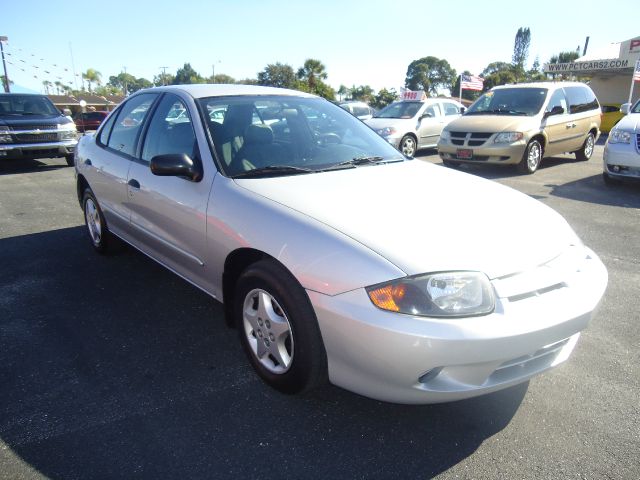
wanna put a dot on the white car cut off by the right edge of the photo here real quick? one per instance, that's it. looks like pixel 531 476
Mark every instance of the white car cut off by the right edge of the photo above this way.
pixel 621 152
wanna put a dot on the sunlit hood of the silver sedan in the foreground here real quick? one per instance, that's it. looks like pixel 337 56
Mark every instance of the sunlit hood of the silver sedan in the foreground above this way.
pixel 425 218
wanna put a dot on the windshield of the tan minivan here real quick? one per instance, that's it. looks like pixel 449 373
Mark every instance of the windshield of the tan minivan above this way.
pixel 509 101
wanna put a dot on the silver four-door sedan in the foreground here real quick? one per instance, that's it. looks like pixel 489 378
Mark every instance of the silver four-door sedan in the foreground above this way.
pixel 318 238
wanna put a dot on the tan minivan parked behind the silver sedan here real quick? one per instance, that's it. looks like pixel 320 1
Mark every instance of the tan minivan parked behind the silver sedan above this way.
pixel 523 123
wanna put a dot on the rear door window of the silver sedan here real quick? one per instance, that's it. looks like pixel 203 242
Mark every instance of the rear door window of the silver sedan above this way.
pixel 126 128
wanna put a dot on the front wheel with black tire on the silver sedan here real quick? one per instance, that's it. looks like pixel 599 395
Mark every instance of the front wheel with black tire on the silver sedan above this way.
pixel 293 358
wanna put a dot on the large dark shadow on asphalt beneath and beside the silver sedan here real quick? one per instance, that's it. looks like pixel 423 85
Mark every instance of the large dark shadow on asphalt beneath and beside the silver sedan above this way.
pixel 113 367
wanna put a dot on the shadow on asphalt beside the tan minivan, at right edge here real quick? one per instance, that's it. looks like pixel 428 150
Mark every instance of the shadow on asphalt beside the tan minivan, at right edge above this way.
pixel 593 190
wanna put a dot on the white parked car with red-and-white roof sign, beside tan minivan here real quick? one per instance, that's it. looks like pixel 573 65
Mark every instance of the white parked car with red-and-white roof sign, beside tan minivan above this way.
pixel 411 125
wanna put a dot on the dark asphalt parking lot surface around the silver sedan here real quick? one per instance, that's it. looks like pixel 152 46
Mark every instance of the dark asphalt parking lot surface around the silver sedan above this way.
pixel 113 367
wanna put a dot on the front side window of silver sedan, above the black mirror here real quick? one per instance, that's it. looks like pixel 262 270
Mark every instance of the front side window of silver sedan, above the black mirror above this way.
pixel 170 130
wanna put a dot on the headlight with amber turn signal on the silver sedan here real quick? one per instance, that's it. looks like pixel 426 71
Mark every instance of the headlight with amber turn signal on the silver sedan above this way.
pixel 446 294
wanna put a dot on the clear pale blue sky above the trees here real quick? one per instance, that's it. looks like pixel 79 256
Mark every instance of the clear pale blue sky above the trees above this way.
pixel 359 42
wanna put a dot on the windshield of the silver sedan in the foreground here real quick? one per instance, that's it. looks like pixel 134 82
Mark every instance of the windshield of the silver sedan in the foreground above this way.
pixel 285 135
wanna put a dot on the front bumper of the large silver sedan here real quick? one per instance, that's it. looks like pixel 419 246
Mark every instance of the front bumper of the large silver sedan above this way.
pixel 407 359
